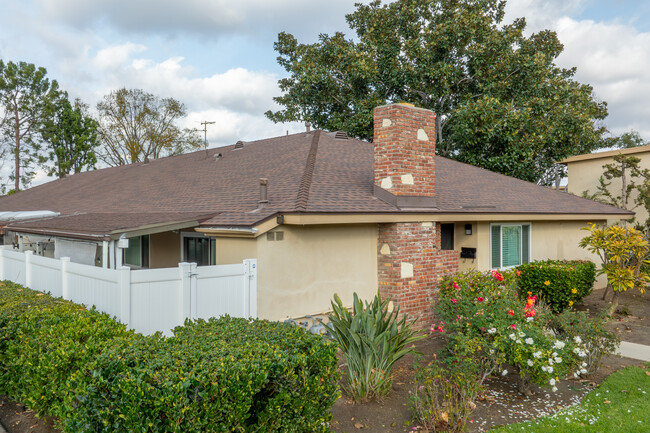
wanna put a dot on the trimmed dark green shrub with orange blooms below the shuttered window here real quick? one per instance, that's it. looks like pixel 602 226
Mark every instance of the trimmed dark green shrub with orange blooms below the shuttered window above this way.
pixel 559 283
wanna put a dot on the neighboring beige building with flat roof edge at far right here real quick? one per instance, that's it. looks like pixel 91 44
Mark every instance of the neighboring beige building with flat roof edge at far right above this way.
pixel 584 172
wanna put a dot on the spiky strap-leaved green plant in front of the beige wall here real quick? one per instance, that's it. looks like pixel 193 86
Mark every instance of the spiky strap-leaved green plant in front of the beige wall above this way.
pixel 372 340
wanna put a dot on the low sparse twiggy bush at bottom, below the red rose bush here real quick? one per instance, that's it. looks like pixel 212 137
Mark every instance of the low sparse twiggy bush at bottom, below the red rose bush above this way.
pixel 443 398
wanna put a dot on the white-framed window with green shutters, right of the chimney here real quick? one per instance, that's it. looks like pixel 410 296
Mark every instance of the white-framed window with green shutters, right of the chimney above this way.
pixel 509 245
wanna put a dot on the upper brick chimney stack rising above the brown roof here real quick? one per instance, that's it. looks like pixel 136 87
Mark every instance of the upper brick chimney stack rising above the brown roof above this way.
pixel 405 148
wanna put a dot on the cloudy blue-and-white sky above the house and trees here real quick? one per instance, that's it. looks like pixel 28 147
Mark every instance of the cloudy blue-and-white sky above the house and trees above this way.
pixel 217 57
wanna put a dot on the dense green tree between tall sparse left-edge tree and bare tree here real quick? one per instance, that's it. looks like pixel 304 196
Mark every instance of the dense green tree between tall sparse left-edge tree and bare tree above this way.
pixel 72 136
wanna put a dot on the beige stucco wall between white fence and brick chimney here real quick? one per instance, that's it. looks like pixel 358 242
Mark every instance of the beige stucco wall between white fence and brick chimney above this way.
pixel 300 274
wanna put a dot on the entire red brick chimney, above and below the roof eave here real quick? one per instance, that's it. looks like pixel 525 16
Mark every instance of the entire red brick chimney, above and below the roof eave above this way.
pixel 409 259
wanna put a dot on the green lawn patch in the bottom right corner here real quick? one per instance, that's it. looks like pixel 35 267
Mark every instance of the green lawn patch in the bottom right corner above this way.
pixel 619 404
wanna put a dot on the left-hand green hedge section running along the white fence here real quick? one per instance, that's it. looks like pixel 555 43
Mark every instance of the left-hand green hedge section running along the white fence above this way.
pixel 45 340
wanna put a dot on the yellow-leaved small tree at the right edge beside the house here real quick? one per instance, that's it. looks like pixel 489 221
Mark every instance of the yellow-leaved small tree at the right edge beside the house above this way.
pixel 623 251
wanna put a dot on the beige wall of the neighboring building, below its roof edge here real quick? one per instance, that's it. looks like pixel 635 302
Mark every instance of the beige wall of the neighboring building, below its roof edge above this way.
pixel 584 175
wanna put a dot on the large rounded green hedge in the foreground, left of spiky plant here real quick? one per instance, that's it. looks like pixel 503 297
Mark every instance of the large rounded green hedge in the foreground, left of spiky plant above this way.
pixel 224 374
